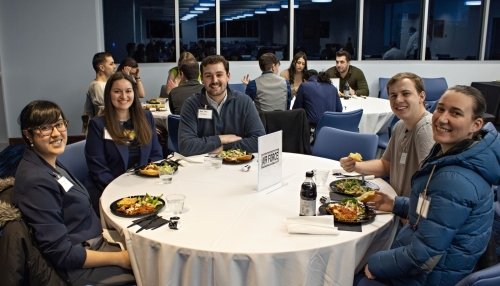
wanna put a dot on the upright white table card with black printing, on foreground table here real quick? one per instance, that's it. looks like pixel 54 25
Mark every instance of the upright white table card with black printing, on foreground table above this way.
pixel 270 161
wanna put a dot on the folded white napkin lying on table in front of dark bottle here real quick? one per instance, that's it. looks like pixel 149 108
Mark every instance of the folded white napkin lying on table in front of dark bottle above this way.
pixel 311 225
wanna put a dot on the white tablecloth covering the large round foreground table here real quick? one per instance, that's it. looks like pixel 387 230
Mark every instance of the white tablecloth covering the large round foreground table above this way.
pixel 231 234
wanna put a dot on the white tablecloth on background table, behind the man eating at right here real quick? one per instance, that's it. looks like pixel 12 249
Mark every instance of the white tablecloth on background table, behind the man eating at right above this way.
pixel 377 113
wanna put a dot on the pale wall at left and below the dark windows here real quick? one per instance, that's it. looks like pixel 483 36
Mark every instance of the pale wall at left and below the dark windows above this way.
pixel 46 48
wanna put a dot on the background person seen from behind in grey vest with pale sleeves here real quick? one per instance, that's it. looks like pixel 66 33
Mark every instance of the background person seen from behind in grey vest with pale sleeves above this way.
pixel 269 91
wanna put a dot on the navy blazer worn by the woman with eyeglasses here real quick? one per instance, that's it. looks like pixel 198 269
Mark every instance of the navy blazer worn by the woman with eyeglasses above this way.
pixel 61 220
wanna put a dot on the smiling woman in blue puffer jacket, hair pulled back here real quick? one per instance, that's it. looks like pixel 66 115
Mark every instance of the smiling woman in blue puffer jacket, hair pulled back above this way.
pixel 450 209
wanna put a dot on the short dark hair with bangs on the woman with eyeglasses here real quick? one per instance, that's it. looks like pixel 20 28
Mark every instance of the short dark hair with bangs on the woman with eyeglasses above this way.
pixel 39 112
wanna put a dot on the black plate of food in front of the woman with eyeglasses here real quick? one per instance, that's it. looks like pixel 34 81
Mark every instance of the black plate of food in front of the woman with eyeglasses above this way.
pixel 139 205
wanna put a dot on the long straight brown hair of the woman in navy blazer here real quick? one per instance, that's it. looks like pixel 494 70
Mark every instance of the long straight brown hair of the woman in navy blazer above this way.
pixel 142 127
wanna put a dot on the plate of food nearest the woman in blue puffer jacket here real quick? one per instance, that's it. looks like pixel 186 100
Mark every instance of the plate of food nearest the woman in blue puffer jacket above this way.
pixel 350 210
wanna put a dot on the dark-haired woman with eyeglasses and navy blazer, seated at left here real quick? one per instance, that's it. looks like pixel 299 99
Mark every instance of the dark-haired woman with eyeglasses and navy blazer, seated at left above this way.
pixel 57 207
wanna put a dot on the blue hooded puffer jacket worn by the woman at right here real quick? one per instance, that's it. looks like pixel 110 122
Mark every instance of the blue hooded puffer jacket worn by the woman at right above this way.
pixel 444 246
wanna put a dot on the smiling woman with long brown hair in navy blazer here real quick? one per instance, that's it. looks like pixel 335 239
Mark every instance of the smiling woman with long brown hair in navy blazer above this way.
pixel 123 137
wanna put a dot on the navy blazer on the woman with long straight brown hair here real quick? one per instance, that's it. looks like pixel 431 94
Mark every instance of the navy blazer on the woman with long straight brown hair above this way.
pixel 107 160
